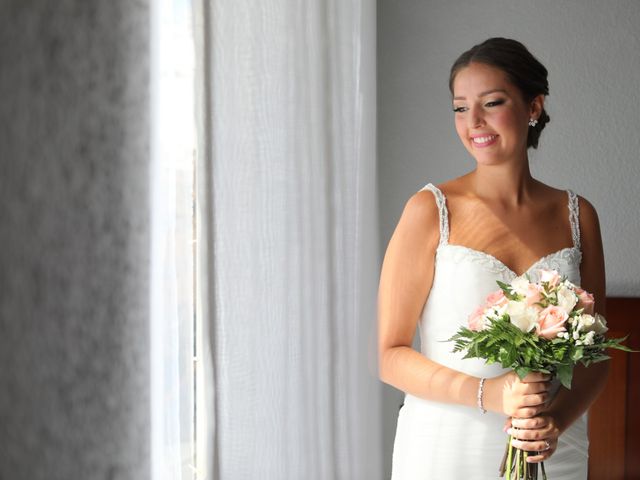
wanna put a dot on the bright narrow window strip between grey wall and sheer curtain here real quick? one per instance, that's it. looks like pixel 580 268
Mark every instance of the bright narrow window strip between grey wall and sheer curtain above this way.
pixel 178 421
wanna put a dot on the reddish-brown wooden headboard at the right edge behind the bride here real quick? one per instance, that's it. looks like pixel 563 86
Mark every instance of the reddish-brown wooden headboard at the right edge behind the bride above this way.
pixel 614 419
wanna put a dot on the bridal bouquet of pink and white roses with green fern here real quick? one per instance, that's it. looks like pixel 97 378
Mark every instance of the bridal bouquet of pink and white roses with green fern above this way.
pixel 548 326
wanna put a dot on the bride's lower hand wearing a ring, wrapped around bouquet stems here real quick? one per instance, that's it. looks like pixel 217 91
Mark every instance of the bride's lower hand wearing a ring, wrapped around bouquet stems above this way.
pixel 539 434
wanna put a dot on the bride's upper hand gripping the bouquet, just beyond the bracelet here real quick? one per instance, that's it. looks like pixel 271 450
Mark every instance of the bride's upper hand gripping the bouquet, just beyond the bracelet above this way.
pixel 524 398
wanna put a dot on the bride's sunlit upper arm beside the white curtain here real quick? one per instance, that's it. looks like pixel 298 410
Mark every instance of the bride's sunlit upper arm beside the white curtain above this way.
pixel 407 271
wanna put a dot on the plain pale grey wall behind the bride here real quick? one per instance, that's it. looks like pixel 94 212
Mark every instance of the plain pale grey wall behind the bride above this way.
pixel 591 145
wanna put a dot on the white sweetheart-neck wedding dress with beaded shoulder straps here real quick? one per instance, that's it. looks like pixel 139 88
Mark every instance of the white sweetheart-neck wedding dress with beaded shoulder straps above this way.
pixel 450 442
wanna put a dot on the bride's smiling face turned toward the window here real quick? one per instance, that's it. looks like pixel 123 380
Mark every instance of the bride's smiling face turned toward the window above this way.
pixel 491 116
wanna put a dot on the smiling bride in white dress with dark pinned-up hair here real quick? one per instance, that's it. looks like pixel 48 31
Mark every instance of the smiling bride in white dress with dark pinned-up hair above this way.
pixel 450 246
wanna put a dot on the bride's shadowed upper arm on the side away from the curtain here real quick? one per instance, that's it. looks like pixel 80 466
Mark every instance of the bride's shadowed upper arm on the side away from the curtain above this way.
pixel 592 269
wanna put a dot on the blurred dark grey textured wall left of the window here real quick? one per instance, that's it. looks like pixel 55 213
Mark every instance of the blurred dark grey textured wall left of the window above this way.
pixel 74 143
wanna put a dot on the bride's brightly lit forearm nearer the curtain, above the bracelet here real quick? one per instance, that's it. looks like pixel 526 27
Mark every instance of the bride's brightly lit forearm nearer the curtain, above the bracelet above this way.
pixel 413 373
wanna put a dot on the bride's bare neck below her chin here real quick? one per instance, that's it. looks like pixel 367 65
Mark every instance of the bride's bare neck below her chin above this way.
pixel 509 183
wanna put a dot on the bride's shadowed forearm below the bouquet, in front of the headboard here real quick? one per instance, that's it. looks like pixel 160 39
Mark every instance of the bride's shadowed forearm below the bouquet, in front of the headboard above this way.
pixel 569 405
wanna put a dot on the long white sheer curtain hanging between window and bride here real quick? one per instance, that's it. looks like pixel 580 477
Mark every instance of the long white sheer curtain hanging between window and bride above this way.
pixel 289 127
